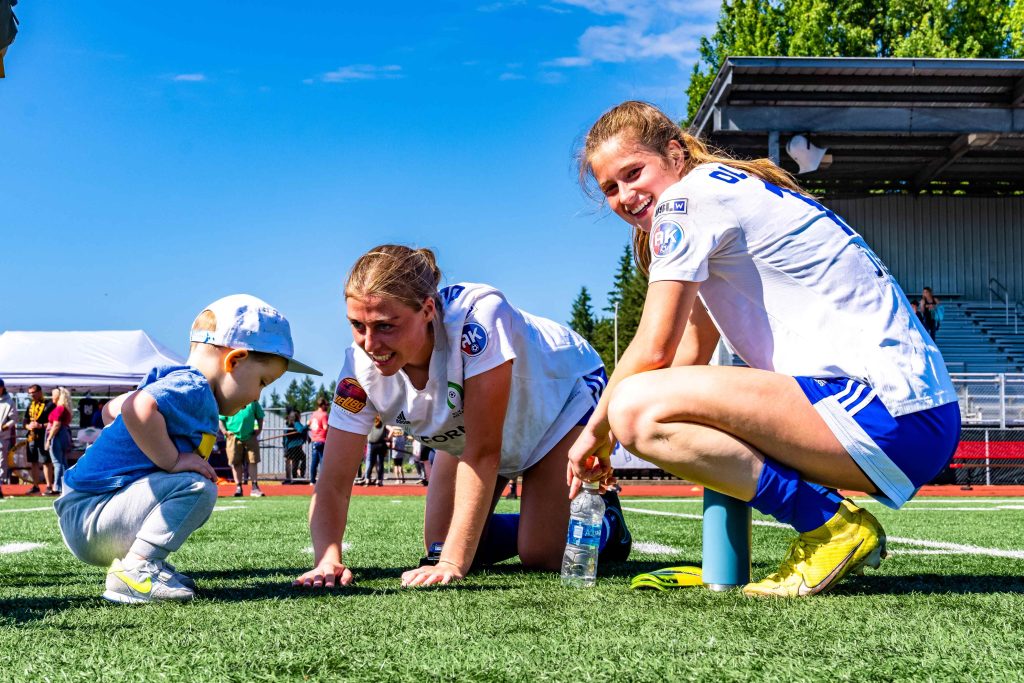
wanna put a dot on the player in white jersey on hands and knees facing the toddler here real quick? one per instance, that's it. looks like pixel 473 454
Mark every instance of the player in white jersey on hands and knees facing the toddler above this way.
pixel 496 392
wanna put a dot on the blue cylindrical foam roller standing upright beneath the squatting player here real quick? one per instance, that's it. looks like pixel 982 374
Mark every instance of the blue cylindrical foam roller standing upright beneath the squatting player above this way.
pixel 727 542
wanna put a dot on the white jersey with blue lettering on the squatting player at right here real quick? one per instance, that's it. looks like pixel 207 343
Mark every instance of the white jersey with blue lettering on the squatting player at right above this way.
pixel 793 289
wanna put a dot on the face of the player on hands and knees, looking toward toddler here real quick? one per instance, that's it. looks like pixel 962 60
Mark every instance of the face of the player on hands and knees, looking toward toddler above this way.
pixel 393 334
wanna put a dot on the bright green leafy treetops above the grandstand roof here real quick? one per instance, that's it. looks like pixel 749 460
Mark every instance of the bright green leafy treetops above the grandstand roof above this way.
pixel 858 29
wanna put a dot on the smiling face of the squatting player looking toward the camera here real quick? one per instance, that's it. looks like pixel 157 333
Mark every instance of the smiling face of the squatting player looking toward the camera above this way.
pixel 632 178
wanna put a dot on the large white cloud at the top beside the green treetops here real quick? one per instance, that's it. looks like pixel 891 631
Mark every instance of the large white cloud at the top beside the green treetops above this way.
pixel 670 29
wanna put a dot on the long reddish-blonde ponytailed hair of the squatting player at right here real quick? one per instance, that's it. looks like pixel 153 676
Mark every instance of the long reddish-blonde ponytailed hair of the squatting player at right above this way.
pixel 648 126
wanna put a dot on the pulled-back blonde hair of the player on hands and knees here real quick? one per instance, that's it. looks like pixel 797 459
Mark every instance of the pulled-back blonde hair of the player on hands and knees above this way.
pixel 407 275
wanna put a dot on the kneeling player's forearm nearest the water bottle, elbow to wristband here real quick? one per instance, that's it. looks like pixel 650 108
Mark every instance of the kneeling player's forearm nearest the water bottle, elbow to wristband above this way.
pixel 475 486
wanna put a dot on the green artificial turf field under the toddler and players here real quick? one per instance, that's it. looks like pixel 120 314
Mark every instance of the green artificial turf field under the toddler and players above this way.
pixel 922 617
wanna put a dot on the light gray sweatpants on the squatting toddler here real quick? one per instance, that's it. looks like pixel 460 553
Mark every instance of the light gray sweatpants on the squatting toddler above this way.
pixel 152 518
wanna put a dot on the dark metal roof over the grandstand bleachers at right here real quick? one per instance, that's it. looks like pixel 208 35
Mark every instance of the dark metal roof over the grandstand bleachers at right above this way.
pixel 889 124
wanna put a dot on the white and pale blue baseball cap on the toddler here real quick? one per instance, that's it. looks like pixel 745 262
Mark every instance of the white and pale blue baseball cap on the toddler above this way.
pixel 249 323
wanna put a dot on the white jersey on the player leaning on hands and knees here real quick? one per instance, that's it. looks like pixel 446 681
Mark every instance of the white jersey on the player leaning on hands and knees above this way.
pixel 554 382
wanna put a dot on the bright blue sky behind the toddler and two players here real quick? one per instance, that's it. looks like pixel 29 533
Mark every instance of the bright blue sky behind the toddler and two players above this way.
pixel 157 157
